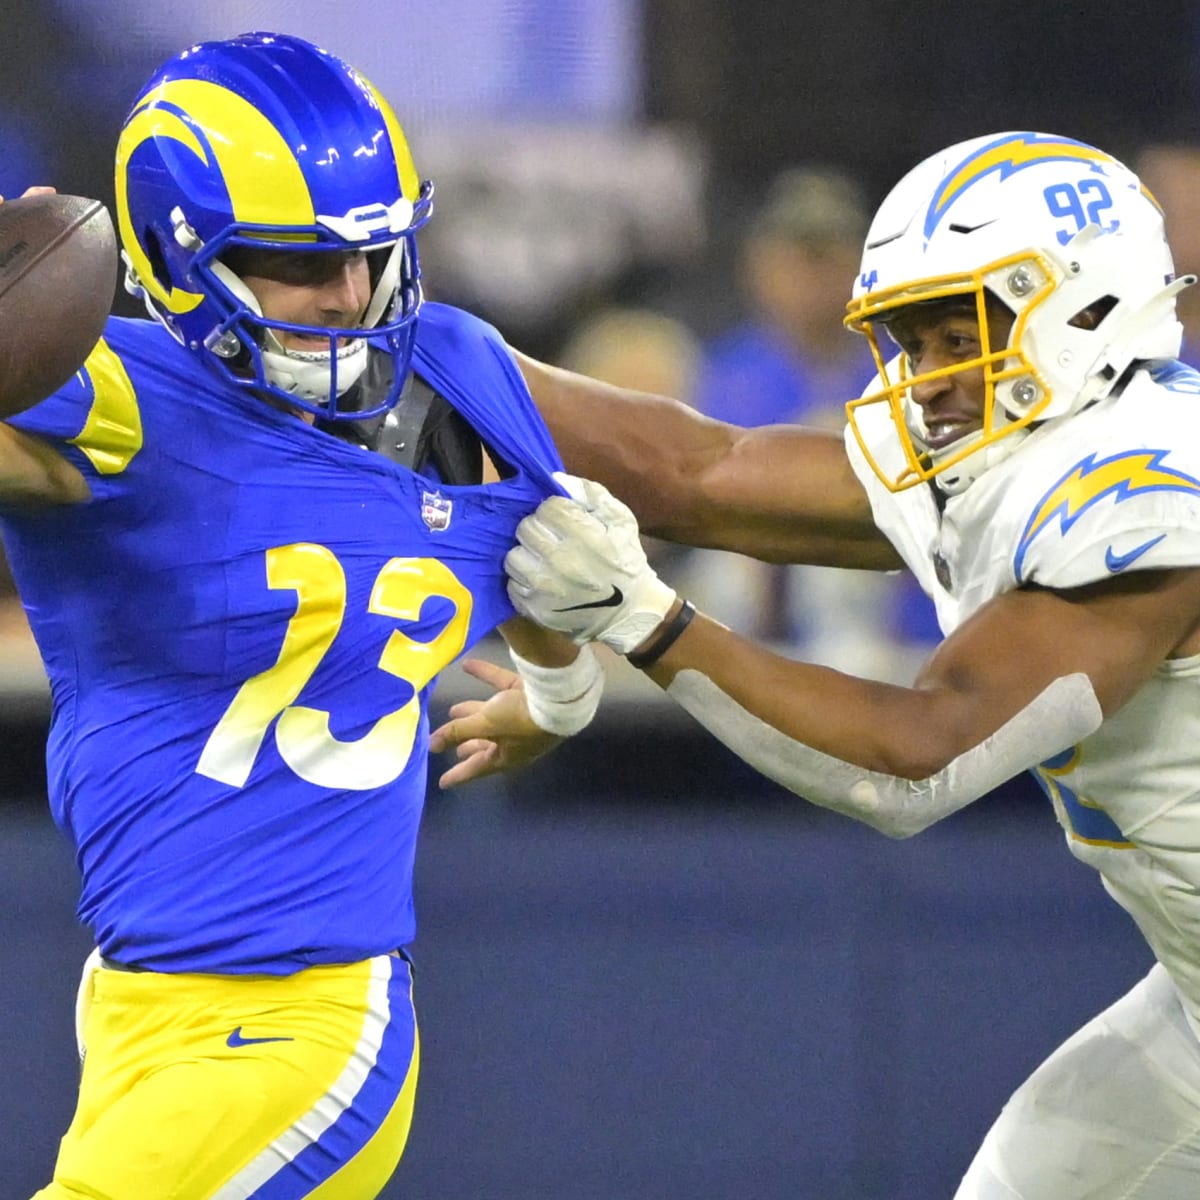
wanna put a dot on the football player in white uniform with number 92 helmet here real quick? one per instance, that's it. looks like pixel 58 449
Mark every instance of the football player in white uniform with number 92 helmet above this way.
pixel 1031 452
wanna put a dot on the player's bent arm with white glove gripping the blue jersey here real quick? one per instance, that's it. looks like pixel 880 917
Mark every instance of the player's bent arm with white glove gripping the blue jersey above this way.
pixel 1030 675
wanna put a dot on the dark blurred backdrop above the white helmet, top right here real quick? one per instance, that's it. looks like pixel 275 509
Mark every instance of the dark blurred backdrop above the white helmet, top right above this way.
pixel 879 86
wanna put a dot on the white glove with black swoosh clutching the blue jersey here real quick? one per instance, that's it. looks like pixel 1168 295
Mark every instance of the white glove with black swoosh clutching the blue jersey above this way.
pixel 579 568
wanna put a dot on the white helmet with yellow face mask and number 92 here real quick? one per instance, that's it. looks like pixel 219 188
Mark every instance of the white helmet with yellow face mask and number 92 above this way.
pixel 1049 227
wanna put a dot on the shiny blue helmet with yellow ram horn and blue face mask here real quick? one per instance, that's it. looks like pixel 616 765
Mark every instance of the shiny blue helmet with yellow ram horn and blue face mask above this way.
pixel 267 142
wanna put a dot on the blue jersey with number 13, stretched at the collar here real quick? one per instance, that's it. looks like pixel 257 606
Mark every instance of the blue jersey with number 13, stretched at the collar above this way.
pixel 242 629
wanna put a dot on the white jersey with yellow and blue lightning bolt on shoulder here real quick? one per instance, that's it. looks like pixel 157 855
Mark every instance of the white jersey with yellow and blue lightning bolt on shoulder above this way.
pixel 1115 489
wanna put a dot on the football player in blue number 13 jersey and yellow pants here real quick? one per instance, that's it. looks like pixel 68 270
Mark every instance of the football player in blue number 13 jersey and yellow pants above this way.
pixel 251 533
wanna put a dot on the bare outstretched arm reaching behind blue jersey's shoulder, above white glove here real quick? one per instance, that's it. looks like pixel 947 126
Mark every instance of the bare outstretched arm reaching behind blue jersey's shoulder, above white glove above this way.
pixel 782 494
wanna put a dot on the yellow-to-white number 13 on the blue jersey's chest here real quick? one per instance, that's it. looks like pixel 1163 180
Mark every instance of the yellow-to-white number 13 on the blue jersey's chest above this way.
pixel 303 735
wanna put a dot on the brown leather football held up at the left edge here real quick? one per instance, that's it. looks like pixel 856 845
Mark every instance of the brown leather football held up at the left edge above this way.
pixel 58 269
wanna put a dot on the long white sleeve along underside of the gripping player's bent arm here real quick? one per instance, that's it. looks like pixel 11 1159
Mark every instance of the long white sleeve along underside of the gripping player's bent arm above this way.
pixel 1065 713
